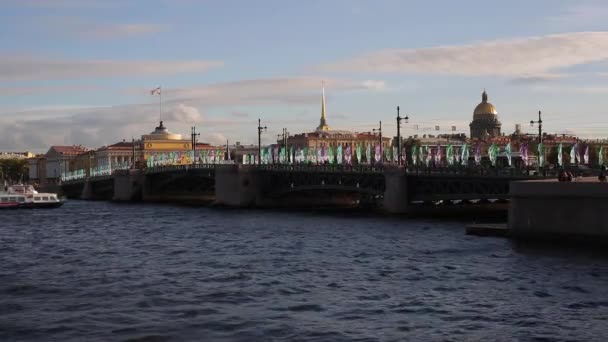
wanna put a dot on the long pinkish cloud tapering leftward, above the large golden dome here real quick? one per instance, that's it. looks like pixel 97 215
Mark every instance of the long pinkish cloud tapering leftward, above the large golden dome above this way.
pixel 513 58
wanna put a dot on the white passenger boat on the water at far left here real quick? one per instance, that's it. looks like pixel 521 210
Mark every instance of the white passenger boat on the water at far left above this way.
pixel 25 196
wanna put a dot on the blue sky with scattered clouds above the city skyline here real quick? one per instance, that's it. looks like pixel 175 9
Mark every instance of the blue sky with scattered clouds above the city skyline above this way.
pixel 81 71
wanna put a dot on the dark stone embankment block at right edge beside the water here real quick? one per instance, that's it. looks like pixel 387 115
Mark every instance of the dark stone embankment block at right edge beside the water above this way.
pixel 548 209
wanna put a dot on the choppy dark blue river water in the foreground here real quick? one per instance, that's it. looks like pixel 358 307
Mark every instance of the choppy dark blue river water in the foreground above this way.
pixel 100 271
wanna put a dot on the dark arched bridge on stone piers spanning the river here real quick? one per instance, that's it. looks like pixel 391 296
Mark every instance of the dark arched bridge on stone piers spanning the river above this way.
pixel 395 189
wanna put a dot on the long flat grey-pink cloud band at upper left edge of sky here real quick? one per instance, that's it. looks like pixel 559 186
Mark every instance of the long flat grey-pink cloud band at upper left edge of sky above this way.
pixel 27 68
